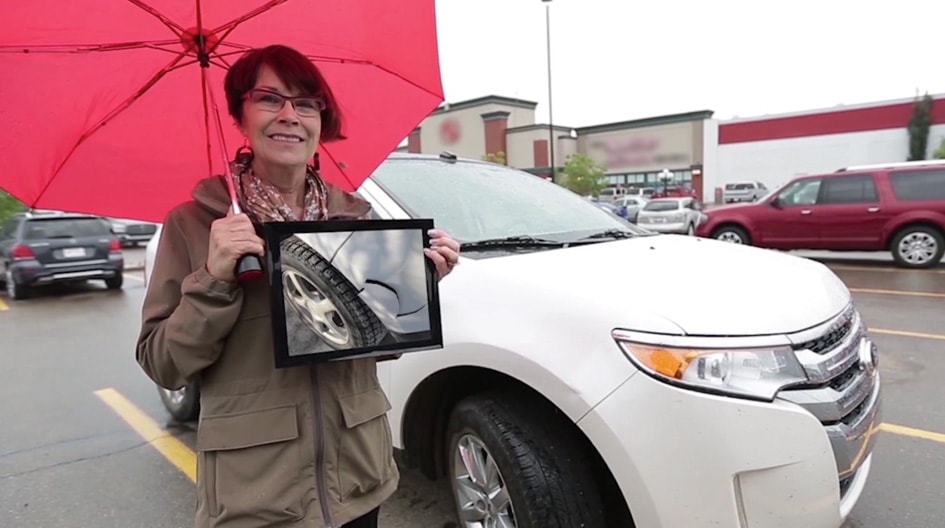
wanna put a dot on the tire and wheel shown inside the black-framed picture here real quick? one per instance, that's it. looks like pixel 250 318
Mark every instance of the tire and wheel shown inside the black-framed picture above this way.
pixel 351 323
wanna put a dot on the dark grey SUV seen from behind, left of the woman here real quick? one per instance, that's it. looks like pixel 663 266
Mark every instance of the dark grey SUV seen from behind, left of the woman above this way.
pixel 39 249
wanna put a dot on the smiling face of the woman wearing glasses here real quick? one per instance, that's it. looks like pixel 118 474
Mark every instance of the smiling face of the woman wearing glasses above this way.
pixel 279 136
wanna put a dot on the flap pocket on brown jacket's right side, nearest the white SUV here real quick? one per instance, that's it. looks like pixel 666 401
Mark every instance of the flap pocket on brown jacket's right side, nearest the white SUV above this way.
pixel 365 450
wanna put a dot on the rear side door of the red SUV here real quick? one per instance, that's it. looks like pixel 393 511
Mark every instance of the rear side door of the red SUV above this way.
pixel 849 213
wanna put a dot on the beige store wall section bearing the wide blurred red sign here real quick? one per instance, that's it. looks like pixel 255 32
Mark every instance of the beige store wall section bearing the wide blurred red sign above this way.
pixel 642 149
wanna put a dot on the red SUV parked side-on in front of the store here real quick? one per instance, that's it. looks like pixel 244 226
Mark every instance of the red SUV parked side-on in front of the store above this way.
pixel 898 207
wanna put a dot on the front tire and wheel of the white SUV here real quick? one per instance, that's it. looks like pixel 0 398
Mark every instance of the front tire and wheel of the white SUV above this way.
pixel 535 459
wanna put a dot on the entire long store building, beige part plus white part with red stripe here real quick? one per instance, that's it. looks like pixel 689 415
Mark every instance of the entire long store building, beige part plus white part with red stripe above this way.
pixel 690 148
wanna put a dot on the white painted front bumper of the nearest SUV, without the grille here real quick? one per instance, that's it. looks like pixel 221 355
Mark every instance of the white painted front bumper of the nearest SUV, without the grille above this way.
pixel 689 459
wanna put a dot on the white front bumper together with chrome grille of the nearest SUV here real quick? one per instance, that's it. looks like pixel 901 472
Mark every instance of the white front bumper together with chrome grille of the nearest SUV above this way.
pixel 687 458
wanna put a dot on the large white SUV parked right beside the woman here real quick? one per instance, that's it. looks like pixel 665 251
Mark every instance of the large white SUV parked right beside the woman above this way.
pixel 757 407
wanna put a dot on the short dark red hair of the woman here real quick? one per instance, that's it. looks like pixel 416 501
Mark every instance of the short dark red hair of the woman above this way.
pixel 295 70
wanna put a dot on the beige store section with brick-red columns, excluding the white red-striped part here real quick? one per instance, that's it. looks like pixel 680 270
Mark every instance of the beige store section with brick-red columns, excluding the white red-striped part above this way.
pixel 632 152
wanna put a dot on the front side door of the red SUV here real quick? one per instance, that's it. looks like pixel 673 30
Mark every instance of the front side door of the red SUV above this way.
pixel 786 221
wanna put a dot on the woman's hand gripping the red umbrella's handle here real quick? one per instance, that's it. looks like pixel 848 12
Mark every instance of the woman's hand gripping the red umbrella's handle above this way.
pixel 231 237
